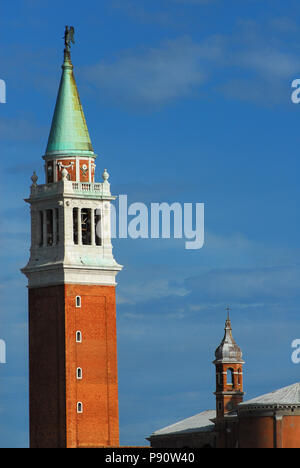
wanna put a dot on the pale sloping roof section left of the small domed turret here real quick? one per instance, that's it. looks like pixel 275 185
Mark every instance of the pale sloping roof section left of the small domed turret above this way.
pixel 198 423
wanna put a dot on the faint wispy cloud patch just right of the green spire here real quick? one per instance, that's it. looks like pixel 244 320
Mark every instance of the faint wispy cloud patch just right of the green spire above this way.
pixel 157 76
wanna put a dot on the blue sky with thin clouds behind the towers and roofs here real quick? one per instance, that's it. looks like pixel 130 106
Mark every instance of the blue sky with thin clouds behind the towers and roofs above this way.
pixel 186 101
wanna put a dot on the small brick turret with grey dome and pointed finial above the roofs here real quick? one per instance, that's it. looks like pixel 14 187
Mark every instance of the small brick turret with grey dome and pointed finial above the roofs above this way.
pixel 229 373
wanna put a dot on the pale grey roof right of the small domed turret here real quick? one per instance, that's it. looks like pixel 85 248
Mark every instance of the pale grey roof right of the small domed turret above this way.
pixel 284 396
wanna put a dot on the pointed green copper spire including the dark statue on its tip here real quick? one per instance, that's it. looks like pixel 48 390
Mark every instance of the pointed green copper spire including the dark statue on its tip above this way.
pixel 69 133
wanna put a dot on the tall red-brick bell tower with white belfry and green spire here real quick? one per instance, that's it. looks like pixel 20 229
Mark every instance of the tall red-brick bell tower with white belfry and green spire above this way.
pixel 71 281
